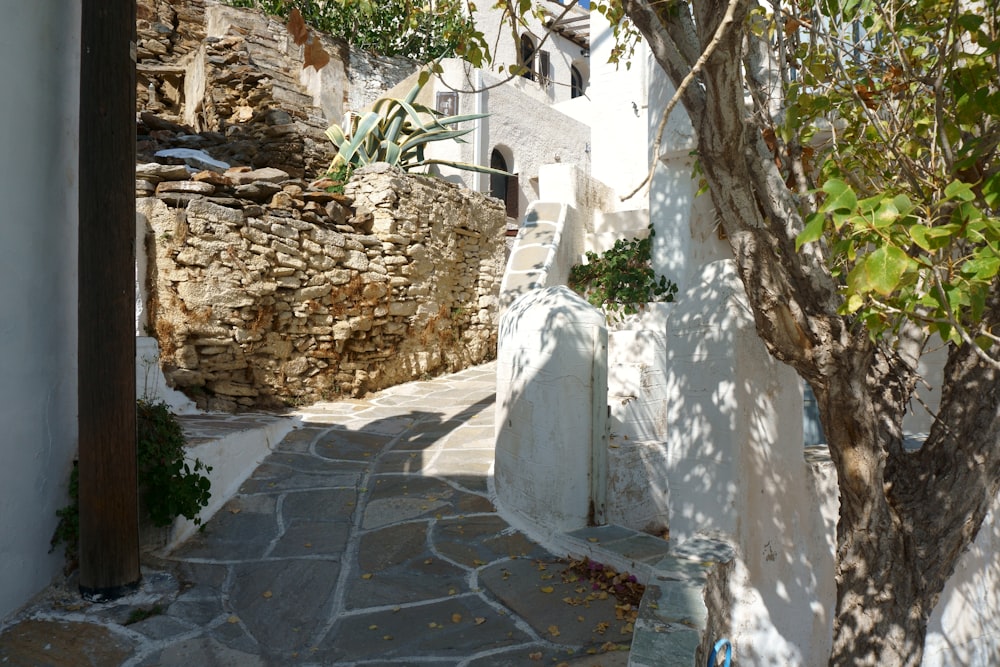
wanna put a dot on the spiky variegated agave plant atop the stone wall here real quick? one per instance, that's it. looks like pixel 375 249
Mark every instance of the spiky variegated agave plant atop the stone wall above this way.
pixel 397 131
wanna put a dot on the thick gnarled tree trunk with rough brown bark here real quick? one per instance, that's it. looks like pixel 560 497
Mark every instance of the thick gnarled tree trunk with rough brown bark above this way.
pixel 905 517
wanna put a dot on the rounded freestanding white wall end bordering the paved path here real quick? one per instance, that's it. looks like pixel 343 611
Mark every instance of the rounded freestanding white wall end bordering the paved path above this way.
pixel 550 408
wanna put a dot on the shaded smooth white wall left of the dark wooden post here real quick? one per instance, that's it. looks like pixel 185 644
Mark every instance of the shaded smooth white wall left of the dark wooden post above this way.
pixel 39 100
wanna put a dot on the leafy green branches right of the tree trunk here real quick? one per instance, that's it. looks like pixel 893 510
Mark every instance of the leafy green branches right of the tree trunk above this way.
pixel 905 124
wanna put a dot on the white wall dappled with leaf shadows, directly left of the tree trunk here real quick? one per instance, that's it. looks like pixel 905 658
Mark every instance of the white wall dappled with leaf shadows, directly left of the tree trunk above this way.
pixel 737 469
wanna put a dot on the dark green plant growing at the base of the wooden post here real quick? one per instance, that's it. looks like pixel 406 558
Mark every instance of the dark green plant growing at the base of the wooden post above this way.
pixel 169 484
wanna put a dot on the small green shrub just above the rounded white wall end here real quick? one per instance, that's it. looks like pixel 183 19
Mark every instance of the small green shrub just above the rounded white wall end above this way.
pixel 621 280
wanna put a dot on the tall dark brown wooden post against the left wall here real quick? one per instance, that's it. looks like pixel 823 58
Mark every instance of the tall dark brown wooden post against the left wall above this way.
pixel 109 515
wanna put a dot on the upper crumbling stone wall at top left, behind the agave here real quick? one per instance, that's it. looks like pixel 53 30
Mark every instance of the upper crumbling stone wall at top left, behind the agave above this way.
pixel 206 68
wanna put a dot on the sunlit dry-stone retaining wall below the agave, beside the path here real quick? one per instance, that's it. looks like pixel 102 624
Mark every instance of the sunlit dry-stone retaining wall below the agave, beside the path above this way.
pixel 265 292
